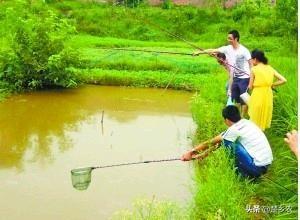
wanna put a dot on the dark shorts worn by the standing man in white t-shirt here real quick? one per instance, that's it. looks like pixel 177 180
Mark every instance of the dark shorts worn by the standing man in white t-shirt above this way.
pixel 239 86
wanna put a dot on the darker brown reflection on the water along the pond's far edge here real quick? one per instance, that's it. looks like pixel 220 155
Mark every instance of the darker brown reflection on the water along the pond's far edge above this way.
pixel 33 125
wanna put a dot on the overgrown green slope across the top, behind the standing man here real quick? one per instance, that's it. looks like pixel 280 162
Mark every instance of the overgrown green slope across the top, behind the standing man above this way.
pixel 251 18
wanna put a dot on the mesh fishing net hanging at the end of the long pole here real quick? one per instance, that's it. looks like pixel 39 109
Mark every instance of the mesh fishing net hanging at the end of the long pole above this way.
pixel 81 178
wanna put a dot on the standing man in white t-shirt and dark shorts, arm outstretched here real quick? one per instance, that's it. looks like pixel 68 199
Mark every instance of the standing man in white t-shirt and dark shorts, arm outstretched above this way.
pixel 239 60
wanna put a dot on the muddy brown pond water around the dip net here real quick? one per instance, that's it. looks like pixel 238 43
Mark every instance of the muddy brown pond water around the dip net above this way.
pixel 43 135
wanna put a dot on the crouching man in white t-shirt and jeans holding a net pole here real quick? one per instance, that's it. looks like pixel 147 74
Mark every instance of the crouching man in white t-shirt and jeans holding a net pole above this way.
pixel 247 142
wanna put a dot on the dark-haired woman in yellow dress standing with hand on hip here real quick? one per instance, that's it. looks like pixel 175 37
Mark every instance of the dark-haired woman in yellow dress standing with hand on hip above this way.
pixel 262 81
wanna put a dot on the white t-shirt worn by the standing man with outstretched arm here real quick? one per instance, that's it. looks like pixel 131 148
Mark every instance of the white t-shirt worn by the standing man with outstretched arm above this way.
pixel 239 59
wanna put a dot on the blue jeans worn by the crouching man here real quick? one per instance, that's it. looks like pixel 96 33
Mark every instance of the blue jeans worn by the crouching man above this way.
pixel 243 161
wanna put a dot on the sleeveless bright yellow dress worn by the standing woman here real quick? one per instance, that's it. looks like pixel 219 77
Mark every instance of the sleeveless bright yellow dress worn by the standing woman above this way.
pixel 261 100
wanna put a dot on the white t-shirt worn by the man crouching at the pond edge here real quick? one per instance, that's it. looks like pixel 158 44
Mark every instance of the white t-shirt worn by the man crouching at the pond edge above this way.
pixel 253 140
